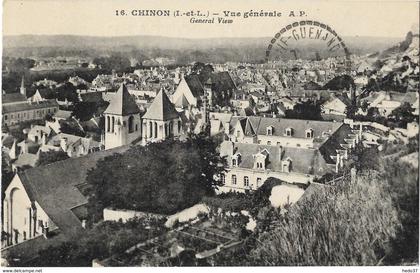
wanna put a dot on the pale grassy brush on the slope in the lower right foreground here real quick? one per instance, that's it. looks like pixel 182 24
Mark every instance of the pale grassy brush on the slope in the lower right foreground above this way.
pixel 349 224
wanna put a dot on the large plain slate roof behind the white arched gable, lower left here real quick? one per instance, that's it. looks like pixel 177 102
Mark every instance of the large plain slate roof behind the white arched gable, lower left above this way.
pixel 54 187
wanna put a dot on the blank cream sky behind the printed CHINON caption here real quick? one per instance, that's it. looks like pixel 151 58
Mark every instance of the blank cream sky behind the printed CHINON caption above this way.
pixel 98 18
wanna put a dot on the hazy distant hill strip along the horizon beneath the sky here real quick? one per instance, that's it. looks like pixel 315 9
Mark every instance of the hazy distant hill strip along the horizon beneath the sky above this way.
pixel 25 44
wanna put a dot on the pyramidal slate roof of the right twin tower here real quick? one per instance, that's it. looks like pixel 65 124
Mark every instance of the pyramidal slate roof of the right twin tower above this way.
pixel 161 108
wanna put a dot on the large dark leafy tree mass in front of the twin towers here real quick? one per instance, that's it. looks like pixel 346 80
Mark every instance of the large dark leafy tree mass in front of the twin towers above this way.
pixel 161 177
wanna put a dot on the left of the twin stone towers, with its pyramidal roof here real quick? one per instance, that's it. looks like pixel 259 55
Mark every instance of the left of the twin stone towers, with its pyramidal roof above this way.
pixel 122 120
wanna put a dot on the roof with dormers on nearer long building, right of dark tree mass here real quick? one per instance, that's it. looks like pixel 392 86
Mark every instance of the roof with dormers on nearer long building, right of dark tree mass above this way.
pixel 306 161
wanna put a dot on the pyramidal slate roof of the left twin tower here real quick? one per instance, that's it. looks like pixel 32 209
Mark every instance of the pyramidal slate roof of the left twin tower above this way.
pixel 122 103
